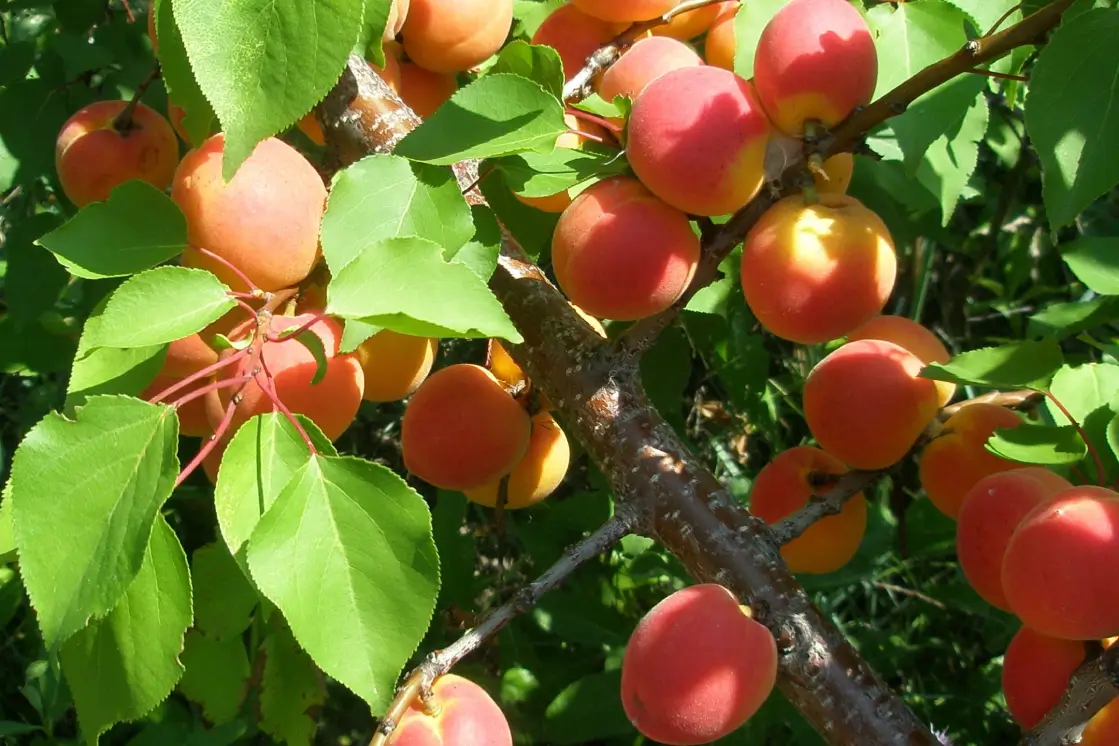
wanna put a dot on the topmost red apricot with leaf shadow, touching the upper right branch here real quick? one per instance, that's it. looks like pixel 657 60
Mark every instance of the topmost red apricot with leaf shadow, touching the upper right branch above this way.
pixel 815 61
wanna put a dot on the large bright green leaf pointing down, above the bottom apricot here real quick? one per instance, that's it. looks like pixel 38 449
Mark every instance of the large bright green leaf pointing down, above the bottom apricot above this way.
pixel 346 554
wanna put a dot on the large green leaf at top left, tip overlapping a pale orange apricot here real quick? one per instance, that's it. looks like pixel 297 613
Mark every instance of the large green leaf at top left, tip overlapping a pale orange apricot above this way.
pixel 264 64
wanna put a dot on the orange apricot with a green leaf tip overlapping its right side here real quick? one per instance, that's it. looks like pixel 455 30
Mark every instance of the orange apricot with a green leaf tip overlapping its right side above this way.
pixel 952 465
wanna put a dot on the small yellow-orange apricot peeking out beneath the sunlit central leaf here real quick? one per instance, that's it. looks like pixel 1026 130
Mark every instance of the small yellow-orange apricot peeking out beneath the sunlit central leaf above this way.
pixel 396 364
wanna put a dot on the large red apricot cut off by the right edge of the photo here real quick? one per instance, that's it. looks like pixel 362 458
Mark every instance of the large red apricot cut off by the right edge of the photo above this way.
pixel 1059 573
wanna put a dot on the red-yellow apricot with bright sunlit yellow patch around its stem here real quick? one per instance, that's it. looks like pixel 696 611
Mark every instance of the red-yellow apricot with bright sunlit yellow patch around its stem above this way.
pixel 815 272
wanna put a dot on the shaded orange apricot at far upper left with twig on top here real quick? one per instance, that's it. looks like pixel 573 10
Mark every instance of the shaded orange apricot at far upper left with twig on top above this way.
pixel 93 158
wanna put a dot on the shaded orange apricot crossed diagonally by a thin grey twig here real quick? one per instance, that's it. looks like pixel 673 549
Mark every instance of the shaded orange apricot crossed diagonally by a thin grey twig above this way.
pixel 784 487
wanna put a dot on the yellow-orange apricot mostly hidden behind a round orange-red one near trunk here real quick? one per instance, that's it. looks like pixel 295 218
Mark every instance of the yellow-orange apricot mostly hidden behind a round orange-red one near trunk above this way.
pixel 538 475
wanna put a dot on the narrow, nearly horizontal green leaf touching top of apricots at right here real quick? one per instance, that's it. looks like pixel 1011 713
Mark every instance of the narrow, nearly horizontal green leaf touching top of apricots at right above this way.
pixel 1019 365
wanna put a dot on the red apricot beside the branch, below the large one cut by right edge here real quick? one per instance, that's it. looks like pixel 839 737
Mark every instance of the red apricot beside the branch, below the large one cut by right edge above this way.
pixel 1036 674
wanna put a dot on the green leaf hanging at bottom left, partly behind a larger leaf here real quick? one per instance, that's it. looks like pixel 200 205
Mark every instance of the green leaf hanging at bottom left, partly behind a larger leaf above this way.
pixel 121 667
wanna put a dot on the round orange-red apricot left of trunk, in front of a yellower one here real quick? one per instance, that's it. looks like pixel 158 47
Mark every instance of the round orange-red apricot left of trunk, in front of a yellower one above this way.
pixel 463 430
